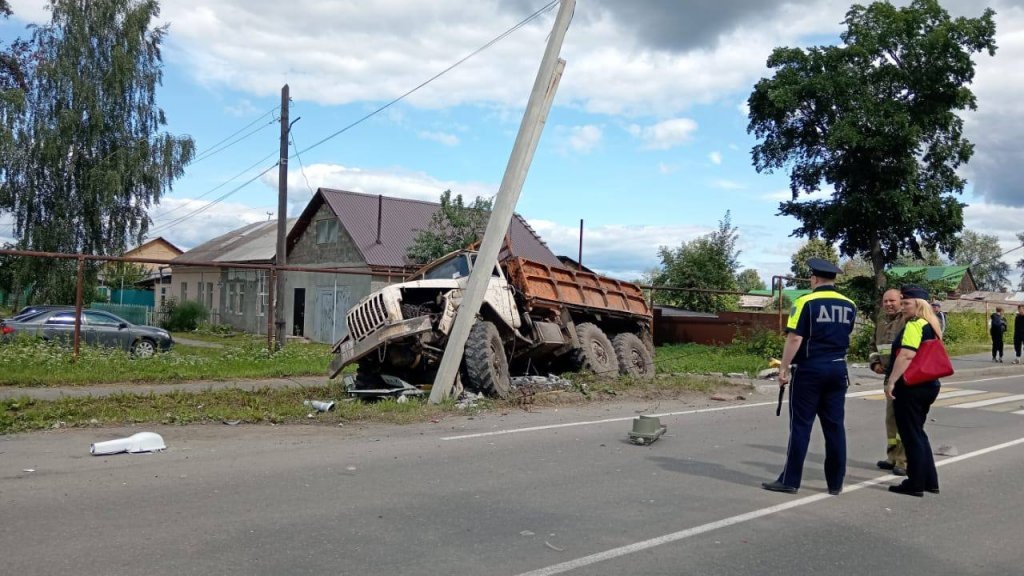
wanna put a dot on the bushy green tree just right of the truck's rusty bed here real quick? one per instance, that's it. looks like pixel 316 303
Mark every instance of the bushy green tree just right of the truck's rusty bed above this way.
pixel 708 263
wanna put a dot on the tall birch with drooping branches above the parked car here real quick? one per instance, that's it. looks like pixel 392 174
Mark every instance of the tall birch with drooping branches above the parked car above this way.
pixel 91 154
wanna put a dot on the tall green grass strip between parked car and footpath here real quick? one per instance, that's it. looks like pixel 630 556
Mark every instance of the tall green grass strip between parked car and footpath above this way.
pixel 33 363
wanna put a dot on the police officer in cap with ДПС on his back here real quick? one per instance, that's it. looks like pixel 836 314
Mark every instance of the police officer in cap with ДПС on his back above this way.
pixel 815 366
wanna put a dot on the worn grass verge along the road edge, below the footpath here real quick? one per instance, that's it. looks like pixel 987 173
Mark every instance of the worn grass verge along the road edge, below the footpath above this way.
pixel 281 406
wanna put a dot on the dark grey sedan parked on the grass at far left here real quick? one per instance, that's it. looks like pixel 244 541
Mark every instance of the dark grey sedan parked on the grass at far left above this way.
pixel 99 328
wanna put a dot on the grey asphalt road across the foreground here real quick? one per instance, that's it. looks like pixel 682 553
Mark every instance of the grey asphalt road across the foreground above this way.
pixel 551 491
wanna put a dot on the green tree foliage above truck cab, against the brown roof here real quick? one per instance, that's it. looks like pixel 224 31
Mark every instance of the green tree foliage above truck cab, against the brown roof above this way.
pixel 454 227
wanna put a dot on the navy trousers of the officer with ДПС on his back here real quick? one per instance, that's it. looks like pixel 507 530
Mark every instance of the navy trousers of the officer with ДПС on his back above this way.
pixel 818 391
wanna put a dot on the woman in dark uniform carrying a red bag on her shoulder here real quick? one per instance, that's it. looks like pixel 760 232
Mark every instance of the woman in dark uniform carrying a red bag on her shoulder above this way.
pixel 913 403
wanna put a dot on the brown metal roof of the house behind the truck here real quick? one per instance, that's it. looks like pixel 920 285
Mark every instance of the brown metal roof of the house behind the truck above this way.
pixel 401 221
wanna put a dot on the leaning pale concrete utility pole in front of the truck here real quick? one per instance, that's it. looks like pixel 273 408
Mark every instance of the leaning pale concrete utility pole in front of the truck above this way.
pixel 504 209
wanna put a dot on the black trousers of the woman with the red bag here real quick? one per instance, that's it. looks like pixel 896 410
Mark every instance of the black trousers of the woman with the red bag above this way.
pixel 912 406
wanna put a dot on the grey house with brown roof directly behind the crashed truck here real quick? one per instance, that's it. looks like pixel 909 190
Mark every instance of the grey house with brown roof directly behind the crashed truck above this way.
pixel 371 234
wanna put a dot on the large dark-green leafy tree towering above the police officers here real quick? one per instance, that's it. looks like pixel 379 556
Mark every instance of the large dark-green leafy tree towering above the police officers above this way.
pixel 876 119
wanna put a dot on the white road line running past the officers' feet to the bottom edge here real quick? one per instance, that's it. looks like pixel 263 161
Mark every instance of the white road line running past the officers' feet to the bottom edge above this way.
pixel 684 534
